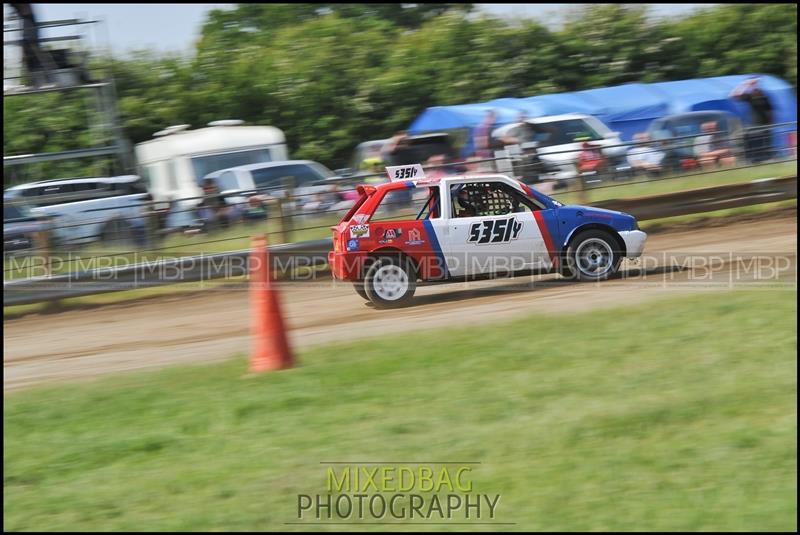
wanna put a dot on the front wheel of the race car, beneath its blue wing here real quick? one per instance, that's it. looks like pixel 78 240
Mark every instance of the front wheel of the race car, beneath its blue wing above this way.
pixel 592 255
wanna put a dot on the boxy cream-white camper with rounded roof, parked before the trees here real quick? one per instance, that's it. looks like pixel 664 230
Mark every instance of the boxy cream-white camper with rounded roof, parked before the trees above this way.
pixel 174 163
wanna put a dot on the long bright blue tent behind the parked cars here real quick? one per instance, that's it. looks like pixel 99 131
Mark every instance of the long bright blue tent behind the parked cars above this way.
pixel 627 108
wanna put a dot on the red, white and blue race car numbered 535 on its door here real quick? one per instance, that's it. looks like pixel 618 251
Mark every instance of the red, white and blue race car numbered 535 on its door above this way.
pixel 470 227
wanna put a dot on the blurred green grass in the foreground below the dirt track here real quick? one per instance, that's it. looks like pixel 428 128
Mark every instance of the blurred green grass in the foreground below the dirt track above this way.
pixel 677 415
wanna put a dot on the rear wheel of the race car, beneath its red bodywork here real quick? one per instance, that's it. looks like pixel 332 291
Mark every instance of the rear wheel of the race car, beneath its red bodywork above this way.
pixel 390 282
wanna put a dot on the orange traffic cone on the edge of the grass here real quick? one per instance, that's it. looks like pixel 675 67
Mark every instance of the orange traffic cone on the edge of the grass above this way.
pixel 270 344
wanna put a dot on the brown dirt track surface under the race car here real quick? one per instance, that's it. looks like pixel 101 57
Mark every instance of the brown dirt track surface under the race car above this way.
pixel 215 325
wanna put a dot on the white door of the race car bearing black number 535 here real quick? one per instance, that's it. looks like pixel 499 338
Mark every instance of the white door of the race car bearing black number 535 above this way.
pixel 501 241
